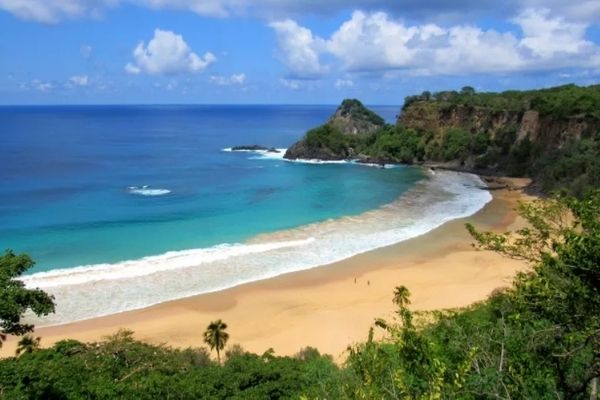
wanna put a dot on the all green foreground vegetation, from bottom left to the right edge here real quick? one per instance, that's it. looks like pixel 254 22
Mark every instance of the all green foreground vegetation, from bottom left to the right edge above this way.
pixel 537 339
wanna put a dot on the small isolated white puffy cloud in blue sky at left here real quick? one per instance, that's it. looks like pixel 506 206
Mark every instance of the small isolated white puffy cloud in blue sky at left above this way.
pixel 167 53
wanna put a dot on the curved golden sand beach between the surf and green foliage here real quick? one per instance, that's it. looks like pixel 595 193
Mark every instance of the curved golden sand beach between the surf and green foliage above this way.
pixel 332 306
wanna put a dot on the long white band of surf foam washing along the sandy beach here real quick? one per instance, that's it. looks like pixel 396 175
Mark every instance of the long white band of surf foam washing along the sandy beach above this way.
pixel 95 290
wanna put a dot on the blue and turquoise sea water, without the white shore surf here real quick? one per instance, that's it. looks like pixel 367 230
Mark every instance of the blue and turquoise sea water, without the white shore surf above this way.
pixel 63 187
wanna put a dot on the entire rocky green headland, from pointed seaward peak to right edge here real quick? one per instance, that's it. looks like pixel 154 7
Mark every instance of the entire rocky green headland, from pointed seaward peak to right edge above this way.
pixel 552 135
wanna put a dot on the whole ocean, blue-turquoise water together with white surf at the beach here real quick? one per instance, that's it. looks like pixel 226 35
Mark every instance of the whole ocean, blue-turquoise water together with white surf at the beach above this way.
pixel 123 207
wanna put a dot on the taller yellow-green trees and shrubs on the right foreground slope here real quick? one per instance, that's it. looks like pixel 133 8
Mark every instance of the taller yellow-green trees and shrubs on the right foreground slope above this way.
pixel 538 339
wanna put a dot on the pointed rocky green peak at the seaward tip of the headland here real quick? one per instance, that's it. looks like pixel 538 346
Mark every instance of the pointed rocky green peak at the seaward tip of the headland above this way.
pixel 332 141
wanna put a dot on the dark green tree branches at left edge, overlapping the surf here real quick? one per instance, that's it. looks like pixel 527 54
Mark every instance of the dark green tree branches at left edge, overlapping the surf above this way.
pixel 16 299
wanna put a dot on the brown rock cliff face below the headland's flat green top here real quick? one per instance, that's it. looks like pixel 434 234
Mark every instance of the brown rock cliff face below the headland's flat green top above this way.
pixel 494 141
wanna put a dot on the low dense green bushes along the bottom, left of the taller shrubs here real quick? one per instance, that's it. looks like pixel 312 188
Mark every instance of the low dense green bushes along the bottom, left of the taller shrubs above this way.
pixel 124 368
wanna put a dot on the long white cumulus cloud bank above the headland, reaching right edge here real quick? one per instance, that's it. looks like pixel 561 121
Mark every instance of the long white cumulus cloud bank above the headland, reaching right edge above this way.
pixel 370 42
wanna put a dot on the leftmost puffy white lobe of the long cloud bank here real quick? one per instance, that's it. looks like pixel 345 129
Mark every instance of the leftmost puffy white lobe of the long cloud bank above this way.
pixel 299 49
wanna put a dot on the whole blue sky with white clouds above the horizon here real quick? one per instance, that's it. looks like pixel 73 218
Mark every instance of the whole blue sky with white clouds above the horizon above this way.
pixel 288 51
